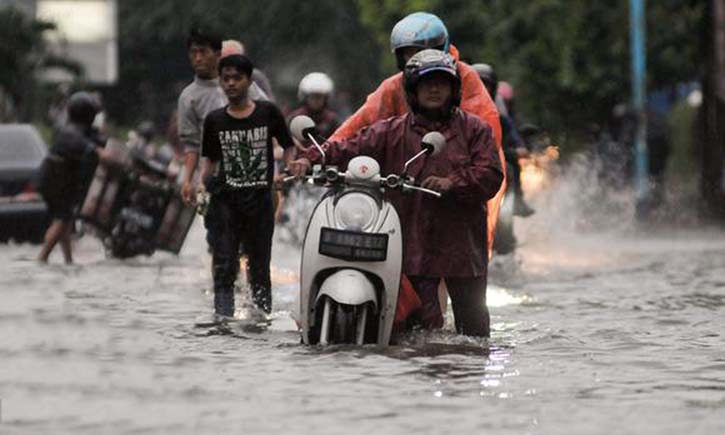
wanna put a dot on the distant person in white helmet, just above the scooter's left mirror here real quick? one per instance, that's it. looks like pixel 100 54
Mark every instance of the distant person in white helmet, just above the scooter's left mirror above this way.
pixel 314 93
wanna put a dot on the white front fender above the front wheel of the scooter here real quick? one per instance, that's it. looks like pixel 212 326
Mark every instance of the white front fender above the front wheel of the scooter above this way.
pixel 349 287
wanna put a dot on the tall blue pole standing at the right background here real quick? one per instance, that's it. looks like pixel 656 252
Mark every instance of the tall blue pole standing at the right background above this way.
pixel 639 89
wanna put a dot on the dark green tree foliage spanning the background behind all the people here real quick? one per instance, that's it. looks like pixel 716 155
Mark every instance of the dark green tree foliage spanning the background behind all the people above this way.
pixel 568 59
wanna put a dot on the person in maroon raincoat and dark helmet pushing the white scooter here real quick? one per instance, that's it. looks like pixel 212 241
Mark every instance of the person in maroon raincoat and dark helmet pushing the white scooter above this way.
pixel 441 236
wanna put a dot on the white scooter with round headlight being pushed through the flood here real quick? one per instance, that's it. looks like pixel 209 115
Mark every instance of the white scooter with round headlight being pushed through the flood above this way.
pixel 353 249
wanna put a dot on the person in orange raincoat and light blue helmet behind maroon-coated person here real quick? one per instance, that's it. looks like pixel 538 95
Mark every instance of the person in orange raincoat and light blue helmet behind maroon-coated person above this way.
pixel 415 32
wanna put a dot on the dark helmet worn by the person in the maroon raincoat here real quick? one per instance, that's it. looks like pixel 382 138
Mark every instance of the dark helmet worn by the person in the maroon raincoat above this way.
pixel 426 62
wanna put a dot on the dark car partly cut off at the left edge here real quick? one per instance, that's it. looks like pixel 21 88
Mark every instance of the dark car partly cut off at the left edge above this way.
pixel 23 214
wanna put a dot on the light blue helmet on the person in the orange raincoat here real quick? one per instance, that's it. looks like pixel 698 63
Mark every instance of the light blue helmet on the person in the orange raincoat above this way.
pixel 419 29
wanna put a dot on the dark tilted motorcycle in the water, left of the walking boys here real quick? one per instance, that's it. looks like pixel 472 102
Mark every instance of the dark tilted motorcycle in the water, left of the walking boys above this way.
pixel 134 207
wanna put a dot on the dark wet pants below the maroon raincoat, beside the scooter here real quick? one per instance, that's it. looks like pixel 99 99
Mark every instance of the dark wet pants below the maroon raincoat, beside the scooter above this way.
pixel 468 298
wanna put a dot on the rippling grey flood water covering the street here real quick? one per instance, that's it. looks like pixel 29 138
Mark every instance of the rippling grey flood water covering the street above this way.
pixel 616 331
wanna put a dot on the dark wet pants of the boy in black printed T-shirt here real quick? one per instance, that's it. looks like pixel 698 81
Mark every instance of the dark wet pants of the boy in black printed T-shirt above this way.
pixel 235 218
